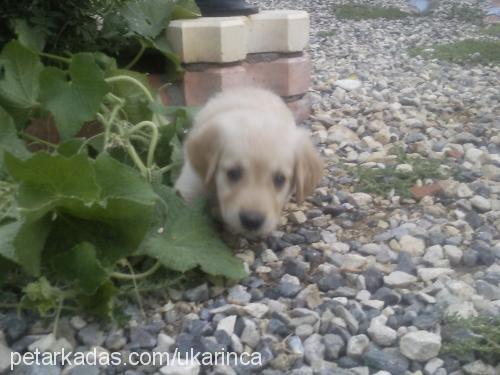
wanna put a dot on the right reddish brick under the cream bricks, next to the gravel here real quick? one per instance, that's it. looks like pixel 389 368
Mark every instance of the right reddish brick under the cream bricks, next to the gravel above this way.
pixel 286 76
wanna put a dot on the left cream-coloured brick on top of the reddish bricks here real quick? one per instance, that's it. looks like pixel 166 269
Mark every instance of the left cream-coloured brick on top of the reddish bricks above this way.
pixel 209 39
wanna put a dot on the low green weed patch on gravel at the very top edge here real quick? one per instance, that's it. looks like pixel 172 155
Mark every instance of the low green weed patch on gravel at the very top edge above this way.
pixel 361 12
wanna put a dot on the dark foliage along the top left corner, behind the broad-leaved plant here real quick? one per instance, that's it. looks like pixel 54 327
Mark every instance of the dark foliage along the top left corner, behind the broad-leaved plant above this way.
pixel 124 29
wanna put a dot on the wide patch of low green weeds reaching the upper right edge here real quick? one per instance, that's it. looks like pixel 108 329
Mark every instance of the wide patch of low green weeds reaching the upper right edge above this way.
pixel 468 51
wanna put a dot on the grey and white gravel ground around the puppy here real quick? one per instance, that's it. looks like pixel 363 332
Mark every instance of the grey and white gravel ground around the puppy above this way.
pixel 353 282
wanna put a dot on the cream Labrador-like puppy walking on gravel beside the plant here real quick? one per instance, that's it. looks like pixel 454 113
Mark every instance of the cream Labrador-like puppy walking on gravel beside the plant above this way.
pixel 246 154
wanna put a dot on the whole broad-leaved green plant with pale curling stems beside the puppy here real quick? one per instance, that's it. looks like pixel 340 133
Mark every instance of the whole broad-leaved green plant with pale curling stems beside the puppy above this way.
pixel 75 214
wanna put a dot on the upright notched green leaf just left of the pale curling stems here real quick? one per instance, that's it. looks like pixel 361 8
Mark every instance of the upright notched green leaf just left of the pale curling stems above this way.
pixel 73 102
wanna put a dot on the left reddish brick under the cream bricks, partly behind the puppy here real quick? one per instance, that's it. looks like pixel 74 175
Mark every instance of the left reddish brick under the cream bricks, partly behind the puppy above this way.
pixel 199 86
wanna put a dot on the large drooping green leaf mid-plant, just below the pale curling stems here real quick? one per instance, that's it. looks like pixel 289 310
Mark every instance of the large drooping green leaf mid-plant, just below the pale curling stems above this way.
pixel 103 202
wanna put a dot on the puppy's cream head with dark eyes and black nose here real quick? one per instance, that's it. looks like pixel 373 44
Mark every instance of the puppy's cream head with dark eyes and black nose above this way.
pixel 253 169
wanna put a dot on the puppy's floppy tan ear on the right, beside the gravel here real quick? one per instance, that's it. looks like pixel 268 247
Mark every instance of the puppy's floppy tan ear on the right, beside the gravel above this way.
pixel 308 167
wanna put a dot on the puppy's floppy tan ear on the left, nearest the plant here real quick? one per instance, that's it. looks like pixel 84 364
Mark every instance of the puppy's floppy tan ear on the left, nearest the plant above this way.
pixel 203 151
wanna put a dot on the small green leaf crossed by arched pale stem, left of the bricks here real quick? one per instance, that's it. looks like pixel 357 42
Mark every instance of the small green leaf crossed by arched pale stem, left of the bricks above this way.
pixel 136 104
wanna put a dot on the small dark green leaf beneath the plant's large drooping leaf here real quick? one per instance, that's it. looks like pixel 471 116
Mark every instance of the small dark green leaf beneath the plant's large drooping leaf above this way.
pixel 80 265
